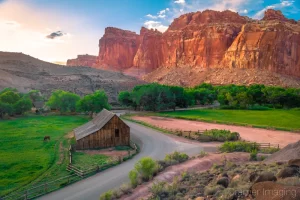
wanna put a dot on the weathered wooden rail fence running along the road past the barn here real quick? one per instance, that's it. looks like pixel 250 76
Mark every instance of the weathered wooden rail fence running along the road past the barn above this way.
pixel 76 175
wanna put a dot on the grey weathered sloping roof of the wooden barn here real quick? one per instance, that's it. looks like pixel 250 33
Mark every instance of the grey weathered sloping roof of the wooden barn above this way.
pixel 94 125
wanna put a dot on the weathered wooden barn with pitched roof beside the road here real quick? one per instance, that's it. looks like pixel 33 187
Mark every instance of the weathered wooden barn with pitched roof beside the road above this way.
pixel 106 129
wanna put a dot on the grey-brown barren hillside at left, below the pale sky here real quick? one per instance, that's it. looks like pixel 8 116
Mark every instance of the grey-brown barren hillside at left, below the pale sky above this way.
pixel 25 73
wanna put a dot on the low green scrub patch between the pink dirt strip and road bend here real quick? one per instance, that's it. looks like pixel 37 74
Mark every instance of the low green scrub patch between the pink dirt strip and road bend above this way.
pixel 222 135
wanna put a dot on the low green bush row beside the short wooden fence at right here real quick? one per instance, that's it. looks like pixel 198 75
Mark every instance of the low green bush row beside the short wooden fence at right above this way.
pixel 239 146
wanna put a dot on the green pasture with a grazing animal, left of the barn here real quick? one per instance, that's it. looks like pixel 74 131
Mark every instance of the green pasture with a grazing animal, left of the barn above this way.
pixel 24 156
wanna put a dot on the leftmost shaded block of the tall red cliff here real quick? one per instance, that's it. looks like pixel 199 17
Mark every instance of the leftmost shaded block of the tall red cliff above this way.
pixel 117 49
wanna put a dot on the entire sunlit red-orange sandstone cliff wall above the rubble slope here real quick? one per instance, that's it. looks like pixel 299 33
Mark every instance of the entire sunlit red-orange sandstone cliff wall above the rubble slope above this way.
pixel 208 39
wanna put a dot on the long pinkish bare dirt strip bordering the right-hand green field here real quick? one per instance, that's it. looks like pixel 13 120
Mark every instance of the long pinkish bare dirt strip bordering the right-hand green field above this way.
pixel 283 138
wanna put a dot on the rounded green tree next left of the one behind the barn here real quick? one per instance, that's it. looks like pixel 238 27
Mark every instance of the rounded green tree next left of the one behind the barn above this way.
pixel 63 101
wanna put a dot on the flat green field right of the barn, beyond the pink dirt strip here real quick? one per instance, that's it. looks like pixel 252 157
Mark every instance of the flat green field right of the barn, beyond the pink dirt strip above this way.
pixel 278 119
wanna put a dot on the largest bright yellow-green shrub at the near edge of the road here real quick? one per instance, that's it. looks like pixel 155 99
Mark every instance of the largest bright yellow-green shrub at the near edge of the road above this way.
pixel 146 167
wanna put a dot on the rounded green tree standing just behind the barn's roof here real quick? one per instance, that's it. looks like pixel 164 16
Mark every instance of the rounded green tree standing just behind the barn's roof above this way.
pixel 93 102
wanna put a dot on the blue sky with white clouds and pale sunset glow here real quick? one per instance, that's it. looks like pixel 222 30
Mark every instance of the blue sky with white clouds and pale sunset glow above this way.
pixel 56 30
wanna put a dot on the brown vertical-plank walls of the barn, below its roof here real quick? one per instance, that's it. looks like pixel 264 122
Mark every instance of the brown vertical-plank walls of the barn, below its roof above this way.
pixel 105 137
